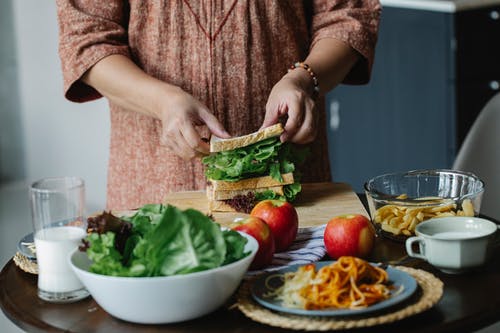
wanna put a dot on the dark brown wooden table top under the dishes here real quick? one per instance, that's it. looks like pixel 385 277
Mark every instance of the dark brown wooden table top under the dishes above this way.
pixel 470 301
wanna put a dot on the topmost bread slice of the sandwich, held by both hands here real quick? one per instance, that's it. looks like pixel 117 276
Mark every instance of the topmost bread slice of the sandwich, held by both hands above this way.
pixel 218 144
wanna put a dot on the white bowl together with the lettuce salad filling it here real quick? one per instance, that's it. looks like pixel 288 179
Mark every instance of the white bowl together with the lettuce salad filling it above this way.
pixel 161 264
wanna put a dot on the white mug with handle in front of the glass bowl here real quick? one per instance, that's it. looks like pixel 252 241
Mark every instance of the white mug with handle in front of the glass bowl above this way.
pixel 453 244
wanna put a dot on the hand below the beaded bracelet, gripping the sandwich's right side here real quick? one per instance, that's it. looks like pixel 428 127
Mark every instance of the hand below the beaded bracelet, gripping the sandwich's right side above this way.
pixel 292 97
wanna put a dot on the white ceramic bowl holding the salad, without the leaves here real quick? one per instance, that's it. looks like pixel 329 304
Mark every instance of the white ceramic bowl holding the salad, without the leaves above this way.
pixel 168 299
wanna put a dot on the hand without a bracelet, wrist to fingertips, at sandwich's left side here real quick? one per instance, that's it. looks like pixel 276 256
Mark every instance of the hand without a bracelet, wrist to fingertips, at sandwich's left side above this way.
pixel 182 117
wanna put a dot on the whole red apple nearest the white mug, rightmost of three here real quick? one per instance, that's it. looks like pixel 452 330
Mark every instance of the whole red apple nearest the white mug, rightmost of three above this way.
pixel 349 235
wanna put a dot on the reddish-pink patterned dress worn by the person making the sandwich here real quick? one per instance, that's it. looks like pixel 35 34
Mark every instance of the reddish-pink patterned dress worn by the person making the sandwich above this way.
pixel 226 53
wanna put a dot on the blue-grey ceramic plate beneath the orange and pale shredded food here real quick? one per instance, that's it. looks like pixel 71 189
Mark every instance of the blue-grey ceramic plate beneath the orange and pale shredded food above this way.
pixel 396 277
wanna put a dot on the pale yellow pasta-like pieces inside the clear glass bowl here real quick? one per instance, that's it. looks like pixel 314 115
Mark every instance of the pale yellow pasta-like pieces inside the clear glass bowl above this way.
pixel 402 220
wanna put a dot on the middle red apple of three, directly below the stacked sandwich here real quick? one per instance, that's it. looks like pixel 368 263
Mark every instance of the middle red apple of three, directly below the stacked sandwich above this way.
pixel 282 218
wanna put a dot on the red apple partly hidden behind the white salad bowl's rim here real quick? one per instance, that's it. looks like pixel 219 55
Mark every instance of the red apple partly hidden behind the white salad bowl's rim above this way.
pixel 259 230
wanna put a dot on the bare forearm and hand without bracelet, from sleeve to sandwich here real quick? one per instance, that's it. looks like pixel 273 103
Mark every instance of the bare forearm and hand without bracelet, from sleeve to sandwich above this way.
pixel 126 85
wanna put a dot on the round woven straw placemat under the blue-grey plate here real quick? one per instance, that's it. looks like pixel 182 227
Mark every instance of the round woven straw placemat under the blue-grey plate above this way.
pixel 428 294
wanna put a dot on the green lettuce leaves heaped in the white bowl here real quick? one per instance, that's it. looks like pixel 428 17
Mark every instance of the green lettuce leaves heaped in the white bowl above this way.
pixel 166 241
